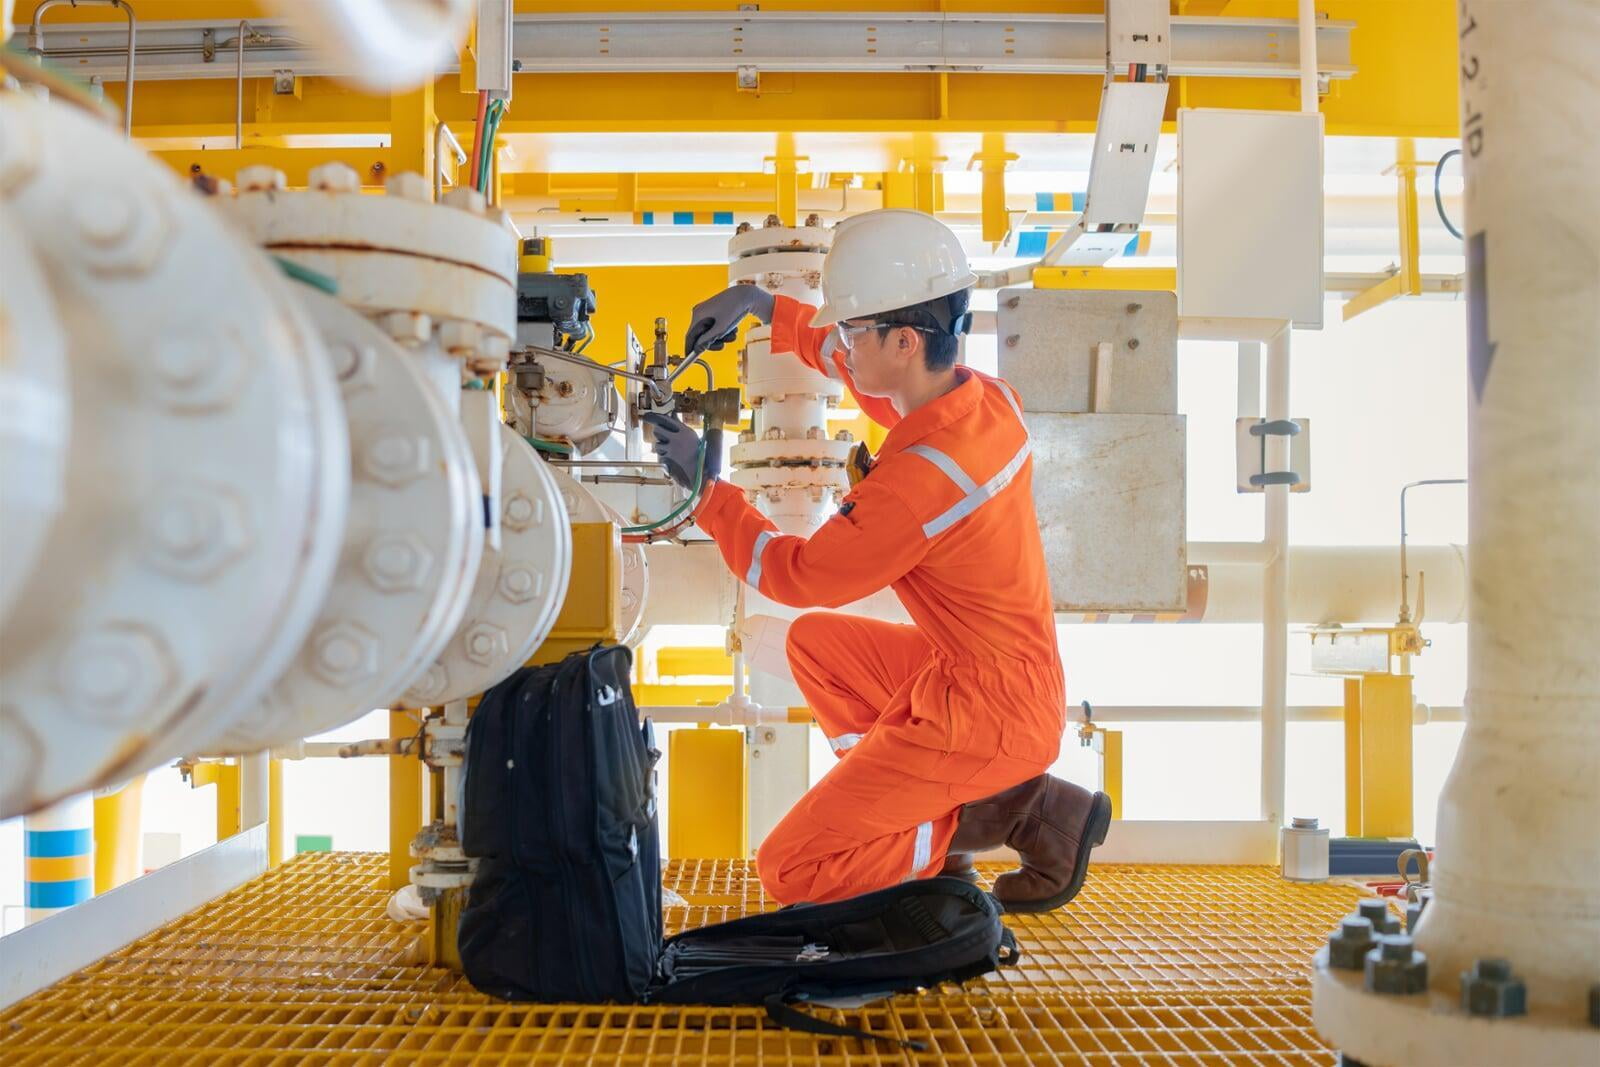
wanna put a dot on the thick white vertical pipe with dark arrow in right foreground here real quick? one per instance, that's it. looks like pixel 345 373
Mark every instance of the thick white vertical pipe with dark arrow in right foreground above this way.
pixel 1518 869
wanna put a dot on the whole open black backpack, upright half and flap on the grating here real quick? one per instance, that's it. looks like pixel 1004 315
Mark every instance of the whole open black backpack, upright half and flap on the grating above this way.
pixel 559 810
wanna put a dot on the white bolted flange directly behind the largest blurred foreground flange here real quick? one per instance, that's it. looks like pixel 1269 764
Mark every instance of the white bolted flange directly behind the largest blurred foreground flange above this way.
pixel 414 521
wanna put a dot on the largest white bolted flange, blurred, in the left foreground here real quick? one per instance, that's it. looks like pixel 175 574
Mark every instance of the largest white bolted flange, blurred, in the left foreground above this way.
pixel 206 474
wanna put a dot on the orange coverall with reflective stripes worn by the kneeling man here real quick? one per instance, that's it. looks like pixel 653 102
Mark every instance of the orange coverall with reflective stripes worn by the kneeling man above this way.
pixel 962 705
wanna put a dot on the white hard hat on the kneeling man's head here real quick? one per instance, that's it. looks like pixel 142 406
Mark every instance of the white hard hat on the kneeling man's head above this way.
pixel 889 260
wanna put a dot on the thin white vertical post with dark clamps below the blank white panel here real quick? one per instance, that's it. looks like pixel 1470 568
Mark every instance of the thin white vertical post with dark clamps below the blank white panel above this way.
pixel 1276 591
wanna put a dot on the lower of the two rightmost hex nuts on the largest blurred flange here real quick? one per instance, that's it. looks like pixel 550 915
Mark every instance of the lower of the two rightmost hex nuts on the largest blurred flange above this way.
pixel 194 530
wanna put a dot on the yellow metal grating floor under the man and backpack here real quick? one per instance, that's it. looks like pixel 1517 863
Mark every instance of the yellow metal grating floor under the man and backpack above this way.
pixel 1150 965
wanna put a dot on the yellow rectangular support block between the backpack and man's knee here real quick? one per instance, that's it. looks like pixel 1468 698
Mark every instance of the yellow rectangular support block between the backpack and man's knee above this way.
pixel 711 807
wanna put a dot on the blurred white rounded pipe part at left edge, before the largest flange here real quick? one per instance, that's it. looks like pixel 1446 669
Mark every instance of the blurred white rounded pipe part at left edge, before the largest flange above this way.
pixel 36 410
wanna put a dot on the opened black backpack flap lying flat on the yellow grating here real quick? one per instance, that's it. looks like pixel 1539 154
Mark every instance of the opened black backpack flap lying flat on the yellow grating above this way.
pixel 842 954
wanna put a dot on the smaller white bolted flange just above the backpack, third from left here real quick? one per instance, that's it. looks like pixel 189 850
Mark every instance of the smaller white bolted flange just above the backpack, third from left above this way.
pixel 521 586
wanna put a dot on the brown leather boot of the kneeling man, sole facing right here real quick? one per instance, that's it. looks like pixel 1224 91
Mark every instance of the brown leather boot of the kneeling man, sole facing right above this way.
pixel 1052 825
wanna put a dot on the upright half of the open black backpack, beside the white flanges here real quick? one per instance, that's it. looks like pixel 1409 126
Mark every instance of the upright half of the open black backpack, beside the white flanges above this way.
pixel 559 809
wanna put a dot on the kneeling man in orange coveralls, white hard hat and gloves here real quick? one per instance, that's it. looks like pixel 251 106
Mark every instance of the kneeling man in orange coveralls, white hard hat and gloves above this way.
pixel 945 729
